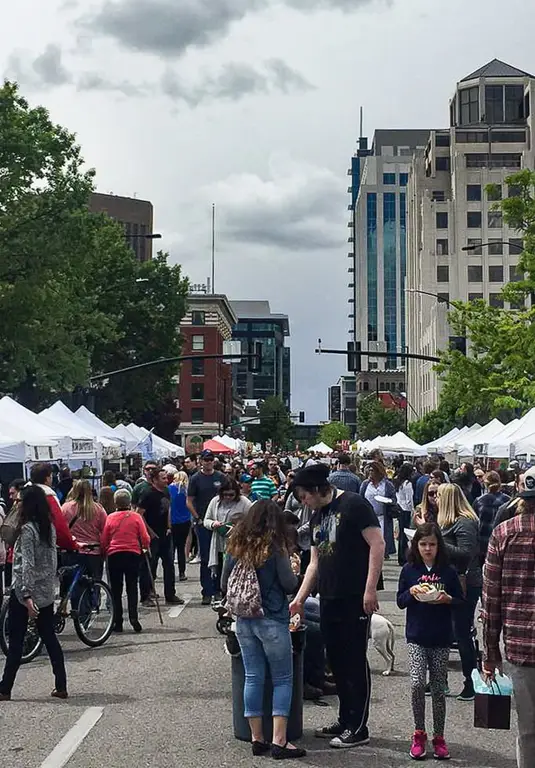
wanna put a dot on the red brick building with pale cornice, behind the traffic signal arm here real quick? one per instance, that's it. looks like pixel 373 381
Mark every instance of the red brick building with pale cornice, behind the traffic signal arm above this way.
pixel 205 386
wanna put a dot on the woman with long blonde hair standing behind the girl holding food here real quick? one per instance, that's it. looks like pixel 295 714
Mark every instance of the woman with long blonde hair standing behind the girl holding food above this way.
pixel 459 525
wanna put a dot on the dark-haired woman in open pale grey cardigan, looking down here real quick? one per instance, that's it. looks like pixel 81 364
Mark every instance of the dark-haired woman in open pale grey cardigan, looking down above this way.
pixel 225 509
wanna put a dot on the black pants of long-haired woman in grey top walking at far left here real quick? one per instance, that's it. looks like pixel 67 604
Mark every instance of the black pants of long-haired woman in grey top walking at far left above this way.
pixel 18 623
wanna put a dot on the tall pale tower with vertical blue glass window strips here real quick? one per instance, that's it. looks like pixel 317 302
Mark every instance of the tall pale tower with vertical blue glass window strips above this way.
pixel 379 237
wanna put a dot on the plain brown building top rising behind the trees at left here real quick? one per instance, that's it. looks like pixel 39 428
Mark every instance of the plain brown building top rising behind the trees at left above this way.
pixel 135 215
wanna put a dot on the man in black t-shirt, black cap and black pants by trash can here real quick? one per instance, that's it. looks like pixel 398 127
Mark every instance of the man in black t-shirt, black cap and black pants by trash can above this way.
pixel 346 560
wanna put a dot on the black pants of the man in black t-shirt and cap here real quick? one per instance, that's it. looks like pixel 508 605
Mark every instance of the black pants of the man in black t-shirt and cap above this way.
pixel 345 629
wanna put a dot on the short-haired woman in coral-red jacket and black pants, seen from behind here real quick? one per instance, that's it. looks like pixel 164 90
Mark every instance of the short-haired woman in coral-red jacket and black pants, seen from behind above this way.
pixel 124 539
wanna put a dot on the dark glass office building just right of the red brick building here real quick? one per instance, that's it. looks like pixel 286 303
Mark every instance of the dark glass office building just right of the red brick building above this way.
pixel 257 324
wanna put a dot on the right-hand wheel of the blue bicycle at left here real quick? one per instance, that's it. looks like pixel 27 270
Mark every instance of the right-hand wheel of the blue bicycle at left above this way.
pixel 94 619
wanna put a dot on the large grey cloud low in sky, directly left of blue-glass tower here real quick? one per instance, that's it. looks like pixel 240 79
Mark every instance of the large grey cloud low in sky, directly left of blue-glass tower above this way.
pixel 299 208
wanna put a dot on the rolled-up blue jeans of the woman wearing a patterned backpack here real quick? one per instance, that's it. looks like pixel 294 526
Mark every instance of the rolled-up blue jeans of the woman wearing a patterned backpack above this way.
pixel 261 640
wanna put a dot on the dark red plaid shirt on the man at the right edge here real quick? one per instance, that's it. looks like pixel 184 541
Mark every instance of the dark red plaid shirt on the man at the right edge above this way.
pixel 509 592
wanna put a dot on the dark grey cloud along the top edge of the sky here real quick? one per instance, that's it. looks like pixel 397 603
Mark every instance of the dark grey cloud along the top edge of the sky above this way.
pixel 168 28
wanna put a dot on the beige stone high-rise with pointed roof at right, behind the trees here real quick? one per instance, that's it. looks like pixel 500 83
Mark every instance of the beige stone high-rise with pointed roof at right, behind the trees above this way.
pixel 490 137
